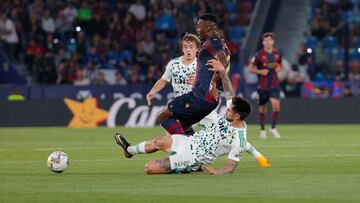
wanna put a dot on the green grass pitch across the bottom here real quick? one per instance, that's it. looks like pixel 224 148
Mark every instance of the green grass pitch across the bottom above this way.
pixel 312 163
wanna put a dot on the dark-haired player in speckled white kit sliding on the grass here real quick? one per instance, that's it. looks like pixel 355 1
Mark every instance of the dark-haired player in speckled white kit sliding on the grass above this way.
pixel 226 135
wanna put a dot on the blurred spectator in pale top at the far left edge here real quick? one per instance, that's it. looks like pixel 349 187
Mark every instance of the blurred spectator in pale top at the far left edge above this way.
pixel 8 34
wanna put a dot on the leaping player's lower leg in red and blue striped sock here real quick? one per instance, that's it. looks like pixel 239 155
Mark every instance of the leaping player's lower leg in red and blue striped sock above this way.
pixel 169 123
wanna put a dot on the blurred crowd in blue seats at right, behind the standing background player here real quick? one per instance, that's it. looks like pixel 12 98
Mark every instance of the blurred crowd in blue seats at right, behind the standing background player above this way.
pixel 332 24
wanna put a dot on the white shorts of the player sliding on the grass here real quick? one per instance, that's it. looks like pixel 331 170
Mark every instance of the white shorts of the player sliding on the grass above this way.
pixel 181 159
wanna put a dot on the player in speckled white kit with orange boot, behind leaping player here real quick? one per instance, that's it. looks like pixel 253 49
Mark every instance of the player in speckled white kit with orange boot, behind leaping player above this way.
pixel 180 72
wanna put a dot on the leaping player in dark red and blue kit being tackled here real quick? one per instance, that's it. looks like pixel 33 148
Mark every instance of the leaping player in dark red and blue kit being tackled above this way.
pixel 184 111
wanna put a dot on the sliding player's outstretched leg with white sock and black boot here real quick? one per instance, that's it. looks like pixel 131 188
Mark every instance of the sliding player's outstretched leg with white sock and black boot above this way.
pixel 161 143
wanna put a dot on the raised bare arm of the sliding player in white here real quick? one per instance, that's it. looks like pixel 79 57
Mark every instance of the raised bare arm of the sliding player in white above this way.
pixel 225 80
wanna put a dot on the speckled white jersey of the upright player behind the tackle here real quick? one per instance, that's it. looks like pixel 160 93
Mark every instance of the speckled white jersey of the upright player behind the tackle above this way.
pixel 177 73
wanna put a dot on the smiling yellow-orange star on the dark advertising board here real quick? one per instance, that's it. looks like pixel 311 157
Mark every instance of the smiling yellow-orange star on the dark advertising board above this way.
pixel 86 113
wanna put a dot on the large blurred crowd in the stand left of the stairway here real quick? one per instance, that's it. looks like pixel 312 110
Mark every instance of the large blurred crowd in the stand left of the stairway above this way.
pixel 81 42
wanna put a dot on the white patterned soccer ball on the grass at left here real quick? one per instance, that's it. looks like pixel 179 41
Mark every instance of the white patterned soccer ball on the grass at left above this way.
pixel 58 161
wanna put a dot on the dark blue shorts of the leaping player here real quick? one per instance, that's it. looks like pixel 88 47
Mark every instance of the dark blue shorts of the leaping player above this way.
pixel 189 109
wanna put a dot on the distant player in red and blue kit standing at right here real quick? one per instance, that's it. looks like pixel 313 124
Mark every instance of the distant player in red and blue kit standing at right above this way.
pixel 266 64
